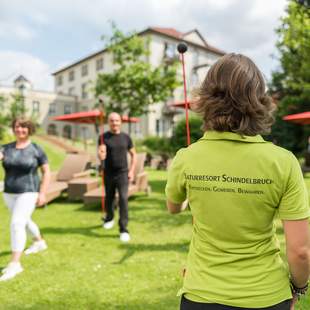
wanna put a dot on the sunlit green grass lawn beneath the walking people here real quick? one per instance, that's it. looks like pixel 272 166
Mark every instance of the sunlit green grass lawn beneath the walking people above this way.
pixel 86 267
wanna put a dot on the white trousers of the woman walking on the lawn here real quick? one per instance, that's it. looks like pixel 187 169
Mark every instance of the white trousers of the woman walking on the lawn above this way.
pixel 21 207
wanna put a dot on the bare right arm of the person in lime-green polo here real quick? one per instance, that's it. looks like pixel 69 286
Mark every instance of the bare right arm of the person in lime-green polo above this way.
pixel 298 250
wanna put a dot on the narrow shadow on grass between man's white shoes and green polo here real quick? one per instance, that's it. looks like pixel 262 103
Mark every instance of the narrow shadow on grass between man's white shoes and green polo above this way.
pixel 131 249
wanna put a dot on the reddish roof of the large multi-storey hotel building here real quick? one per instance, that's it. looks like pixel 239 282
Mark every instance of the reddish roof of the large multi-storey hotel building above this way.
pixel 168 32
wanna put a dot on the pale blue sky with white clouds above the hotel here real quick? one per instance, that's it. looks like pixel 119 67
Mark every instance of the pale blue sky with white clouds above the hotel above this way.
pixel 38 37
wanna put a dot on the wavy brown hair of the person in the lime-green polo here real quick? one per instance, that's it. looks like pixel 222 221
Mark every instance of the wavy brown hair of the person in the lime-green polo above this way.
pixel 233 97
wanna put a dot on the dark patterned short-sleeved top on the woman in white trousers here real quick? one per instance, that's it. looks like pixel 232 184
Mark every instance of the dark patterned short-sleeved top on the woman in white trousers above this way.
pixel 21 167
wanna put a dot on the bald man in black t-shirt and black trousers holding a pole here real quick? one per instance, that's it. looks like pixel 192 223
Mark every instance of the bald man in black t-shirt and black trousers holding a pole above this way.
pixel 116 174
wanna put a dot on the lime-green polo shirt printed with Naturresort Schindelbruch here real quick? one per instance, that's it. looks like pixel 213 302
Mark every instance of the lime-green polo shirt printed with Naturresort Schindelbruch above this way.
pixel 236 187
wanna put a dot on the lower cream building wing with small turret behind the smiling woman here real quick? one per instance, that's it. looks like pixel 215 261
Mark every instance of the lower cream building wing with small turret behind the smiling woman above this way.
pixel 43 106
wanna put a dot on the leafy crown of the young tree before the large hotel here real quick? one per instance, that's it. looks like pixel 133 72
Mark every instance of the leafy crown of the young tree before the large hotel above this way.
pixel 134 84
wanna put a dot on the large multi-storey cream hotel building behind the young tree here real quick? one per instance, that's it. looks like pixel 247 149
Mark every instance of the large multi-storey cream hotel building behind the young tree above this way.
pixel 78 78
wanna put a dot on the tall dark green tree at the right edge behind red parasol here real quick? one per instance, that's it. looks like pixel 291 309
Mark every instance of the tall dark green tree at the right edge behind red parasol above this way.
pixel 292 82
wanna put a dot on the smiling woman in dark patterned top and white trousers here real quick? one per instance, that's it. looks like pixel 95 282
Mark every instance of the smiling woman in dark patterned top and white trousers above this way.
pixel 23 191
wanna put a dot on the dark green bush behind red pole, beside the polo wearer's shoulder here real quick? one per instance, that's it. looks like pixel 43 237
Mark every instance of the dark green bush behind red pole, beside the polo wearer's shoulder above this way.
pixel 179 140
